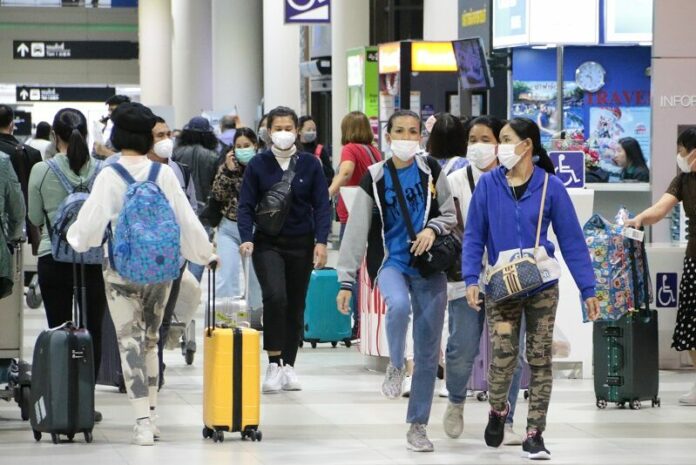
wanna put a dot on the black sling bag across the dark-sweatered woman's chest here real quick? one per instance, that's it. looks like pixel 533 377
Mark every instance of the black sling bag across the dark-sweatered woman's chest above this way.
pixel 273 208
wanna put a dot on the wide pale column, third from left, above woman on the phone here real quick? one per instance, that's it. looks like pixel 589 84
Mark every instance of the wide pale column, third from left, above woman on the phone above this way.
pixel 237 57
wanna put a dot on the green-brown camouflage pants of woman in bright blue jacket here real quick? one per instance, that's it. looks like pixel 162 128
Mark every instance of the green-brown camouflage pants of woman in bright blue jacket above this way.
pixel 504 329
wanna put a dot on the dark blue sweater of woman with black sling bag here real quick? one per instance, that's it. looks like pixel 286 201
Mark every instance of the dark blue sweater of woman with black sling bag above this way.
pixel 310 212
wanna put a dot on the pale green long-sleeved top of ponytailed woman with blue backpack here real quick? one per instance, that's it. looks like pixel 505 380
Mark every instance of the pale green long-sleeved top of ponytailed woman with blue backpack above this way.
pixel 46 193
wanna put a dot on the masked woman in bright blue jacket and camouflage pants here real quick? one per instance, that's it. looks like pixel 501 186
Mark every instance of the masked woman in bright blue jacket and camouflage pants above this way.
pixel 504 217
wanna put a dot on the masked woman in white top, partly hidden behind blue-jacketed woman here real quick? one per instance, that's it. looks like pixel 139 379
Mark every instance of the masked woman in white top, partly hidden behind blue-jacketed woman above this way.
pixel 463 336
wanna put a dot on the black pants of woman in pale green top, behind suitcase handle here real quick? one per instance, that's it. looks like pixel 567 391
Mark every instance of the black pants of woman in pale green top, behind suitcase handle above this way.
pixel 56 283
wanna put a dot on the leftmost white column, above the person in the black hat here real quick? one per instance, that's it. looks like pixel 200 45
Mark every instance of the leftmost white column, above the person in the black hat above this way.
pixel 155 43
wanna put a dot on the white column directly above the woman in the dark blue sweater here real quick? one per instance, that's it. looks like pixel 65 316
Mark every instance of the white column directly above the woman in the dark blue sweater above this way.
pixel 281 58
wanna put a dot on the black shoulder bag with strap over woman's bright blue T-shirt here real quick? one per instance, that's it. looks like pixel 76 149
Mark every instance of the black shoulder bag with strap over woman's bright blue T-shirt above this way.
pixel 442 255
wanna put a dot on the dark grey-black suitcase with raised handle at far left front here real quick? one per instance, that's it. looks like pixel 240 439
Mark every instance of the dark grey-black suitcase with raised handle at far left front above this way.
pixel 62 392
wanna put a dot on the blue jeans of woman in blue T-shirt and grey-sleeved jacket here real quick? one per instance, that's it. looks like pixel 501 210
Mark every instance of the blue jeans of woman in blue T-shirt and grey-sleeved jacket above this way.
pixel 427 298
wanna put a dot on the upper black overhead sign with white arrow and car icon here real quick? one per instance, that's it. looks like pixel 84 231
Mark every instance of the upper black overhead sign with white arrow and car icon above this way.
pixel 74 50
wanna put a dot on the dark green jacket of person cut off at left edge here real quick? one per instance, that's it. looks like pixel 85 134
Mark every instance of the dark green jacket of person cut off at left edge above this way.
pixel 12 213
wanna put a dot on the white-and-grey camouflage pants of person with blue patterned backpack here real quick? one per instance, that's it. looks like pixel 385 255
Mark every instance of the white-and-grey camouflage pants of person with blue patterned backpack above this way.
pixel 137 312
